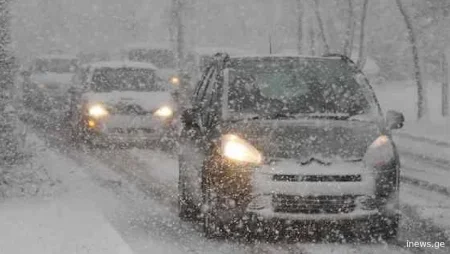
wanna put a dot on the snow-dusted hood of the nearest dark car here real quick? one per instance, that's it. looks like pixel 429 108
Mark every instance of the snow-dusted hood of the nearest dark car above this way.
pixel 322 140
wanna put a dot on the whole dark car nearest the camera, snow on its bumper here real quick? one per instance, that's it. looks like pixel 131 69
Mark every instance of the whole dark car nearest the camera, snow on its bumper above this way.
pixel 286 139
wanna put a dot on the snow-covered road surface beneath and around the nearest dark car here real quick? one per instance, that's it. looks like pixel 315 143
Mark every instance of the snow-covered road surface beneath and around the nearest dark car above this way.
pixel 136 190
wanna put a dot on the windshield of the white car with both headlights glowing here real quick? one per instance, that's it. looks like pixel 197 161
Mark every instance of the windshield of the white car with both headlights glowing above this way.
pixel 125 79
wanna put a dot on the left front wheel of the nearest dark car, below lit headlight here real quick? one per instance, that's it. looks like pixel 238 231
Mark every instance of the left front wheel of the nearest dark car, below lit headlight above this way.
pixel 212 226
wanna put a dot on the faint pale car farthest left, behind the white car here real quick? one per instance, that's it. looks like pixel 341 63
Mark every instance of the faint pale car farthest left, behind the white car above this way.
pixel 48 80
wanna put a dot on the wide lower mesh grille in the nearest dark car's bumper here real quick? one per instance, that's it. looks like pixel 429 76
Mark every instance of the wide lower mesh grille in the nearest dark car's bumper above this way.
pixel 313 204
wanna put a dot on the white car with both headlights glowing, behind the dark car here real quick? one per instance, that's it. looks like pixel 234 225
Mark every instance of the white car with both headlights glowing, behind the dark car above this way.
pixel 121 103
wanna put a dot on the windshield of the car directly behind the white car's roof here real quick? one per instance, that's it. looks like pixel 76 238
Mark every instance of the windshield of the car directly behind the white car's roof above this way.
pixel 162 58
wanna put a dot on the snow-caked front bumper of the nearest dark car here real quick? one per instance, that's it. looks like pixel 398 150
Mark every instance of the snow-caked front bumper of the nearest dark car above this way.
pixel 315 193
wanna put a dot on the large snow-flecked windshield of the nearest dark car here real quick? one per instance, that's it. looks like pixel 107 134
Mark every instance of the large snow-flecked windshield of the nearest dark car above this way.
pixel 297 86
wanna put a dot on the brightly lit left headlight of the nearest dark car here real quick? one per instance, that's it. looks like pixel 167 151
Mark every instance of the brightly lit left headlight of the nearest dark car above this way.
pixel 236 148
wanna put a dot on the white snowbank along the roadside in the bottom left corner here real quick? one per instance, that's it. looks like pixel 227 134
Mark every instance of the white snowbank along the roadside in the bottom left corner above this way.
pixel 51 206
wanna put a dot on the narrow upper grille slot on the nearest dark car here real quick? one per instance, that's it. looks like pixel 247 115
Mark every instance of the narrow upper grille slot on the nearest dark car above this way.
pixel 317 178
